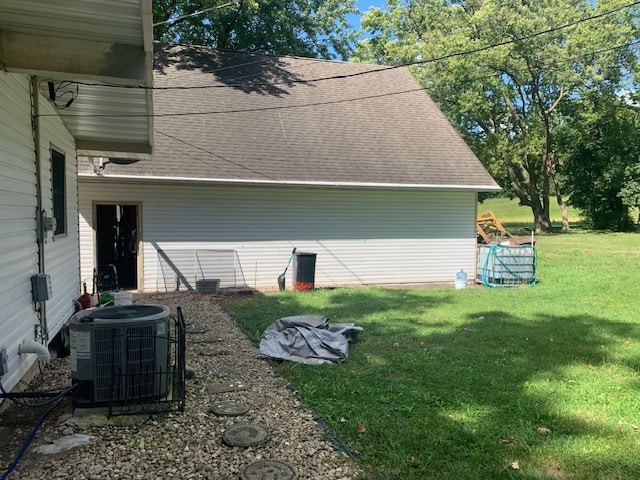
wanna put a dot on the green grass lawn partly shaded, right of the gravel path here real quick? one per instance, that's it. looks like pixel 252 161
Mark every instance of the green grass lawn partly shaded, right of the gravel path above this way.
pixel 525 383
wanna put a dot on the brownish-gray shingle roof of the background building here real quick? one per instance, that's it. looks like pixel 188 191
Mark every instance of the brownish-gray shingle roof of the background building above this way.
pixel 247 117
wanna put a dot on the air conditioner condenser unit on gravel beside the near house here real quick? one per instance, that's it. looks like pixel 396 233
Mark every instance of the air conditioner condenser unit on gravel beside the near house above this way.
pixel 121 355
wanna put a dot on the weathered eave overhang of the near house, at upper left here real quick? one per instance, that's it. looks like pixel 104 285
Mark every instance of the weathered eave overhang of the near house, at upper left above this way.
pixel 56 46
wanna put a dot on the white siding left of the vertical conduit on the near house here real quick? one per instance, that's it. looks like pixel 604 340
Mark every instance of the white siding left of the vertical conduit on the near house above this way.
pixel 19 253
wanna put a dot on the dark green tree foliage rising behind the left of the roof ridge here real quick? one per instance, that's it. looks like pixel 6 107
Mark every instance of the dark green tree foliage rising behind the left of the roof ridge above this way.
pixel 310 28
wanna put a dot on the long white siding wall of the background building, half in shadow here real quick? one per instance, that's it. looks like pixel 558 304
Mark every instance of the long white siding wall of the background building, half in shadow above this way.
pixel 360 236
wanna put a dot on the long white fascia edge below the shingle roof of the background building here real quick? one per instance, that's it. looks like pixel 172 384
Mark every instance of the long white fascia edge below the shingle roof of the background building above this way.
pixel 208 181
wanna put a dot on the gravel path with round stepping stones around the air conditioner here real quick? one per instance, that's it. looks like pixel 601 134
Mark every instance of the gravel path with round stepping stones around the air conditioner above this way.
pixel 178 445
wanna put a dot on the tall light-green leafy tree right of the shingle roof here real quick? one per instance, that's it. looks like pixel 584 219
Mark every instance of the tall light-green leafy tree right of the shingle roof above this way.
pixel 502 70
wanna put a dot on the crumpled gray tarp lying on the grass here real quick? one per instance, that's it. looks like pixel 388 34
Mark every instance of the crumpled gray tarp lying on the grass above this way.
pixel 308 339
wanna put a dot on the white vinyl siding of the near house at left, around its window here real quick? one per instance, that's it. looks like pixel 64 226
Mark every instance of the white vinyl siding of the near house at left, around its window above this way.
pixel 18 207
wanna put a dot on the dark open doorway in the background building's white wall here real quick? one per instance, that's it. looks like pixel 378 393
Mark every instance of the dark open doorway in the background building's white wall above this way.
pixel 117 241
